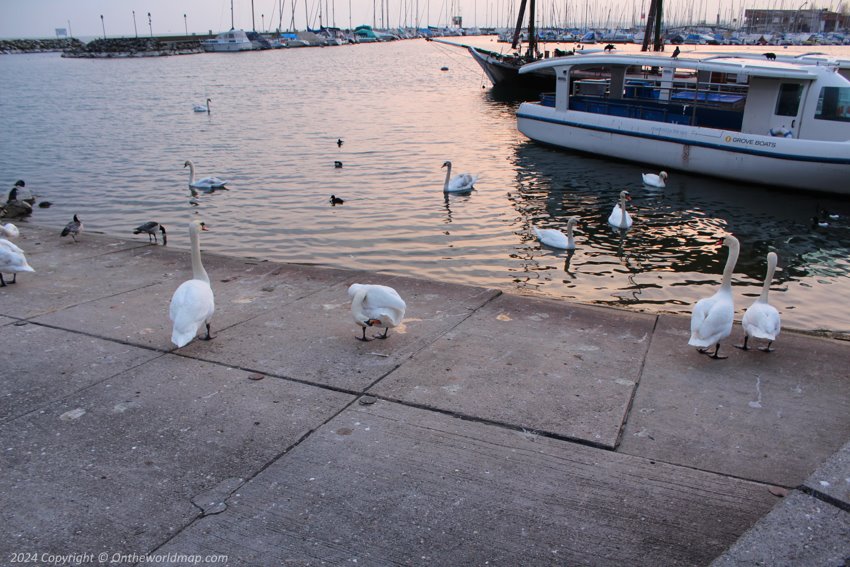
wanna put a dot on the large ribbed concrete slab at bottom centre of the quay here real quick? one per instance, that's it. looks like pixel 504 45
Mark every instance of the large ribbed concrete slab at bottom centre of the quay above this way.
pixel 393 485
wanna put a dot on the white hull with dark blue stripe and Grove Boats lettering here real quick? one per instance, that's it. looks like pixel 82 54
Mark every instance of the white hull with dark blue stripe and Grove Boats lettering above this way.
pixel 768 160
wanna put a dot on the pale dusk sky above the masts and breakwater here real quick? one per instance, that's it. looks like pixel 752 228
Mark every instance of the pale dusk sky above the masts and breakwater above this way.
pixel 40 18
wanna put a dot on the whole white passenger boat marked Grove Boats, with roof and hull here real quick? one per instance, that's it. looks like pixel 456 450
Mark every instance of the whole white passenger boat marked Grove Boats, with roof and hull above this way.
pixel 779 123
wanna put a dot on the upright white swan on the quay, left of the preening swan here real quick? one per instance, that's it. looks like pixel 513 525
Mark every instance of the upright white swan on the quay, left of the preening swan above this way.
pixel 192 304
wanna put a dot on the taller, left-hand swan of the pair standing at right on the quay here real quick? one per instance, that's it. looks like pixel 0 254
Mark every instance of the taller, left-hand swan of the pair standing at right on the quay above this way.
pixel 711 319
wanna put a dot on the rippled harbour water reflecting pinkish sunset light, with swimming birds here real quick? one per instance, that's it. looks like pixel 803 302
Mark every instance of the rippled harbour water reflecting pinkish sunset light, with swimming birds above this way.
pixel 107 139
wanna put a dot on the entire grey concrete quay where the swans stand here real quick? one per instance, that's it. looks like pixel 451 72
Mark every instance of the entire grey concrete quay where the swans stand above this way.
pixel 491 429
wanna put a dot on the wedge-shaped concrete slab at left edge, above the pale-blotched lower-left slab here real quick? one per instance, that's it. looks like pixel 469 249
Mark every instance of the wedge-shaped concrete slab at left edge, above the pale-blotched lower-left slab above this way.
pixel 49 364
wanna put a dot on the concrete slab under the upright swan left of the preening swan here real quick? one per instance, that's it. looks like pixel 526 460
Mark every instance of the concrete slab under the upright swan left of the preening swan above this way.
pixel 242 291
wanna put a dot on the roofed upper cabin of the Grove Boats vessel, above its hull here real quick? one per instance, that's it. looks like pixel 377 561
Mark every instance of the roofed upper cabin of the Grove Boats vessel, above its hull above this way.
pixel 807 101
